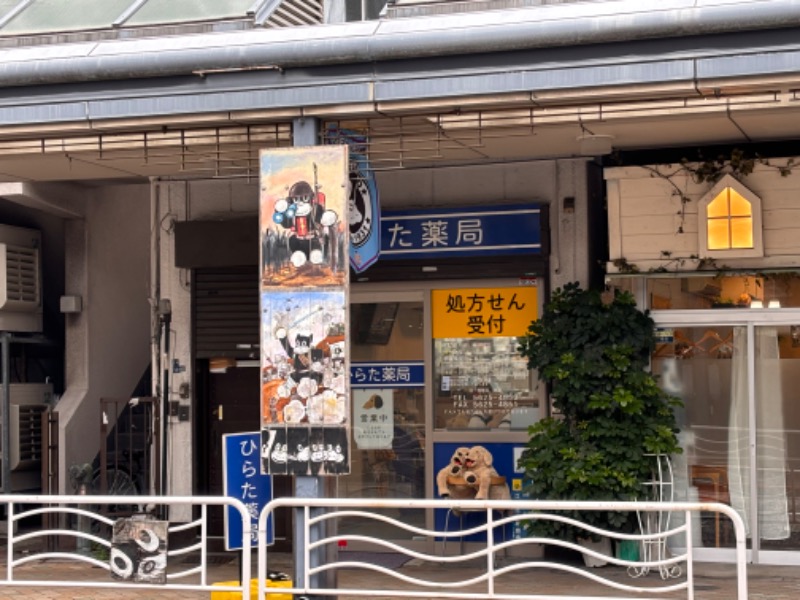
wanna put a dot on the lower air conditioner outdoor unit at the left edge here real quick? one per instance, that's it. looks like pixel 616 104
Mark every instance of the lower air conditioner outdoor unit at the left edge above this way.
pixel 27 403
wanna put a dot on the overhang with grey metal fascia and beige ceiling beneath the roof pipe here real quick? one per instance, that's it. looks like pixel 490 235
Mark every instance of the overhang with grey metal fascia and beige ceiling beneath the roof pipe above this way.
pixel 533 104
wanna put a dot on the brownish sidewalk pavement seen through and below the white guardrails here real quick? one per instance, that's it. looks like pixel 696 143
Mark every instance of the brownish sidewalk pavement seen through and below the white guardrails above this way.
pixel 713 581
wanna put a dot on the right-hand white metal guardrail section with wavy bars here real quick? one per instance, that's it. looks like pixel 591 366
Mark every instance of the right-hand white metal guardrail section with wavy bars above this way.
pixel 488 578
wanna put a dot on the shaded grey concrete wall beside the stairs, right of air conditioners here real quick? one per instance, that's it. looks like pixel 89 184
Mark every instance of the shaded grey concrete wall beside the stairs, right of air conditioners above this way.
pixel 107 345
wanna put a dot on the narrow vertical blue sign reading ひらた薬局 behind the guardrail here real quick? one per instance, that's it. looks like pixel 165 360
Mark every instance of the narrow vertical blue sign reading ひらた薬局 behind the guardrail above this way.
pixel 242 479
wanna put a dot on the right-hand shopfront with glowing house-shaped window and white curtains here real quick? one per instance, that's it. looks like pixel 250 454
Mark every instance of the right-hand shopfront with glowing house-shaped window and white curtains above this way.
pixel 734 369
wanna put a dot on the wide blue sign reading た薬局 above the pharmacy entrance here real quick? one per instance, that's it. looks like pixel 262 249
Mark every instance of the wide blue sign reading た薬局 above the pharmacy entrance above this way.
pixel 449 233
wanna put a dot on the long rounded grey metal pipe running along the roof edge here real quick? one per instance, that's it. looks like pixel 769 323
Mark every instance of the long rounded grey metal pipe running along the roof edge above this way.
pixel 387 39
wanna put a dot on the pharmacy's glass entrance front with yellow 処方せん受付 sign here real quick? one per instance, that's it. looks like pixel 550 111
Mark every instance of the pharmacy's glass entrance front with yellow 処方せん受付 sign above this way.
pixel 424 383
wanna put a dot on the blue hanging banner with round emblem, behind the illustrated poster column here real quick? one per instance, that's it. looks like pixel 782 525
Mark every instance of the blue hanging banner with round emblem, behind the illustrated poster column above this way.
pixel 363 205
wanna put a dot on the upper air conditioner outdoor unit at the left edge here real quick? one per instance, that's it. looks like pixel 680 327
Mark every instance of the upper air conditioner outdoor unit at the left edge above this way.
pixel 20 279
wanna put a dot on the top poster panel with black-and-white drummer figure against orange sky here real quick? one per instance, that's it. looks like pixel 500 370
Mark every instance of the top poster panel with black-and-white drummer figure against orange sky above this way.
pixel 303 217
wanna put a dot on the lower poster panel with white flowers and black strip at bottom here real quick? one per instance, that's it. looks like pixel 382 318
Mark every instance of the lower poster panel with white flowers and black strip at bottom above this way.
pixel 305 382
